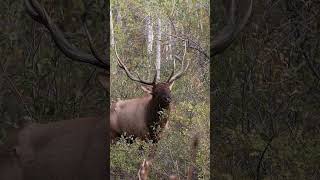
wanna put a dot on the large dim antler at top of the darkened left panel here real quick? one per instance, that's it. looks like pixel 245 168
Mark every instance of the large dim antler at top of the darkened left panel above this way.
pixel 39 14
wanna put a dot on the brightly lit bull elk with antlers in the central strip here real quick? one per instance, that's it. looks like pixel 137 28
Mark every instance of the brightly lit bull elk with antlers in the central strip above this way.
pixel 144 117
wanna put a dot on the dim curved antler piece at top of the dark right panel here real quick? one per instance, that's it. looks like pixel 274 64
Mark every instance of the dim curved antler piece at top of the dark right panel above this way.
pixel 235 24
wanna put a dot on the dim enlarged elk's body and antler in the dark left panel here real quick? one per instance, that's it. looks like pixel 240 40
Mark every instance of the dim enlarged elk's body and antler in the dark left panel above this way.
pixel 63 150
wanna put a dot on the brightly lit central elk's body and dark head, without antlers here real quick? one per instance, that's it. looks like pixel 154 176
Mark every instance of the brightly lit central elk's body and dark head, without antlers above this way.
pixel 142 117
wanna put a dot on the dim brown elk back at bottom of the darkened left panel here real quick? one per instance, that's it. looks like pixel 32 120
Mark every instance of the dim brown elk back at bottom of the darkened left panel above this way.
pixel 71 149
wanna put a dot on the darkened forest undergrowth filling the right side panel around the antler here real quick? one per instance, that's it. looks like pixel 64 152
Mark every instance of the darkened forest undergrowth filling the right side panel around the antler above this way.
pixel 265 93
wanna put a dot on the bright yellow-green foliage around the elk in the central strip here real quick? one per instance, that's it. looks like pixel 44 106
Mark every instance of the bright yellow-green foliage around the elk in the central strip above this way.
pixel 190 113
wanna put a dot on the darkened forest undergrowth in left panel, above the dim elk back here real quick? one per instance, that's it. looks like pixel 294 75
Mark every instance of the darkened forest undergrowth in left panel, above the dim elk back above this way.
pixel 37 82
